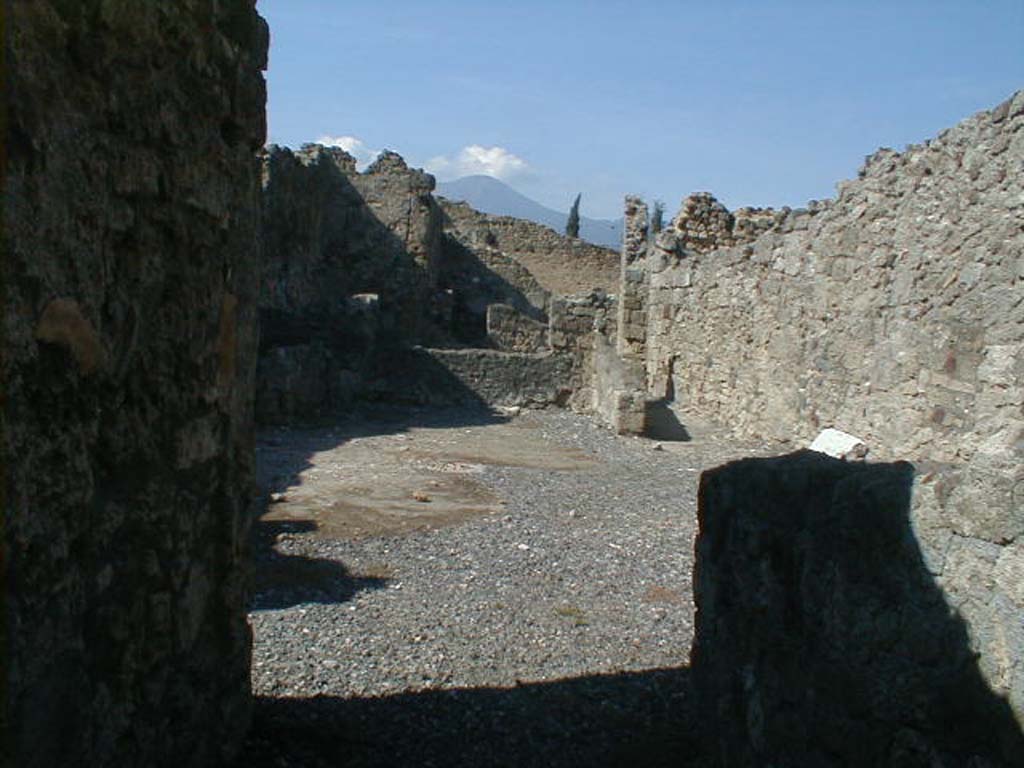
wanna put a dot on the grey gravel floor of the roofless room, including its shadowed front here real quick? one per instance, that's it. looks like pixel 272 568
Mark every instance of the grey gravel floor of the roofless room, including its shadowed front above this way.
pixel 554 632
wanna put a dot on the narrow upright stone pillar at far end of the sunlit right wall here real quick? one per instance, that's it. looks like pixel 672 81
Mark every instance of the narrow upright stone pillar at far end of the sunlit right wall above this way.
pixel 633 282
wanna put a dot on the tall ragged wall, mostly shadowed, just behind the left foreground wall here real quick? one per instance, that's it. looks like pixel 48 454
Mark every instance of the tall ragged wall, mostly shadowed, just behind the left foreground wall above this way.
pixel 353 262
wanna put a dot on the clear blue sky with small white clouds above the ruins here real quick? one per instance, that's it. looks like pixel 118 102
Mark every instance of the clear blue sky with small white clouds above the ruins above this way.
pixel 759 103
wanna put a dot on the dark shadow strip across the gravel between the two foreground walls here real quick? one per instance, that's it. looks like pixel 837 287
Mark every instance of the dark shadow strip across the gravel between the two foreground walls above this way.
pixel 639 720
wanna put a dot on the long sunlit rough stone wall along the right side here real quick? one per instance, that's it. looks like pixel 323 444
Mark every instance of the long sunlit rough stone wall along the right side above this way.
pixel 894 313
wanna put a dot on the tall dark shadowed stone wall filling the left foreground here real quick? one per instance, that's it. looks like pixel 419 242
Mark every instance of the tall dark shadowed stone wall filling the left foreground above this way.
pixel 130 305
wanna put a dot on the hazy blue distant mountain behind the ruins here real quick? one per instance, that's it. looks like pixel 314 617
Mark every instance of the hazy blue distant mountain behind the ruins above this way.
pixel 491 196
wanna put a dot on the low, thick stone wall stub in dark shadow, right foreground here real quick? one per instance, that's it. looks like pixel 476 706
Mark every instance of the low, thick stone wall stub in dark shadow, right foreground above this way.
pixel 823 637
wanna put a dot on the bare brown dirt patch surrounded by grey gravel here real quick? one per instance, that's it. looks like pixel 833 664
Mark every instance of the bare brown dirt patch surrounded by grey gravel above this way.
pixel 421 477
